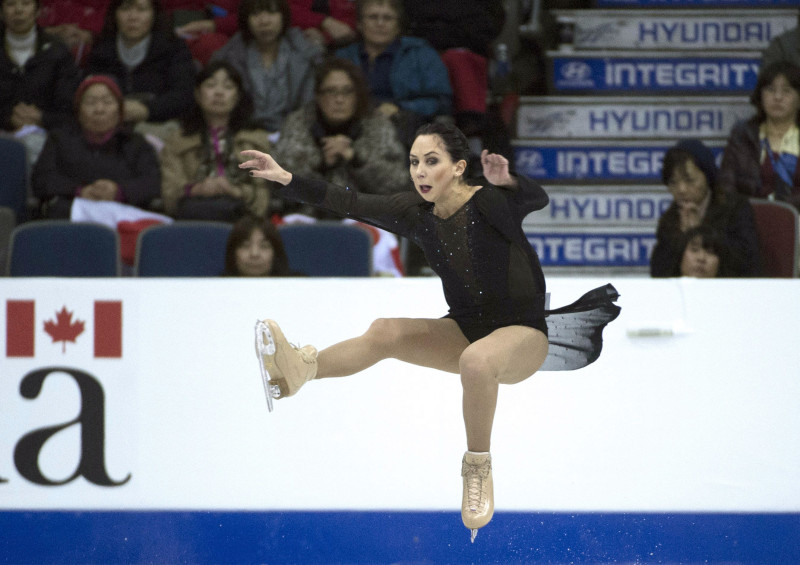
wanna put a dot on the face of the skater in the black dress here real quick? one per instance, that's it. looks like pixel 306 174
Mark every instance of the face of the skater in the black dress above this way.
pixel 432 168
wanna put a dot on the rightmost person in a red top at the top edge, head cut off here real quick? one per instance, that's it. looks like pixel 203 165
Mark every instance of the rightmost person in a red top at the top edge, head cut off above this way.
pixel 329 24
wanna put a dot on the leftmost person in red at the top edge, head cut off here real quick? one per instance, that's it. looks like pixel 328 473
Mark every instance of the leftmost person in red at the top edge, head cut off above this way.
pixel 75 22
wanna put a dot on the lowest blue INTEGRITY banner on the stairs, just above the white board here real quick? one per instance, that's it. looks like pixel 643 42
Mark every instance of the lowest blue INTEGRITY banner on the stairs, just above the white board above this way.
pixel 596 248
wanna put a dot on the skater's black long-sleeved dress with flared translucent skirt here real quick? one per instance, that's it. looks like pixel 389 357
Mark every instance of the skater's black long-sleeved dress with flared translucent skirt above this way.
pixel 490 273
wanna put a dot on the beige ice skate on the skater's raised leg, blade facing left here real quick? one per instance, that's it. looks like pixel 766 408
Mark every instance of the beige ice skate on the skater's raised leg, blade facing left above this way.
pixel 284 367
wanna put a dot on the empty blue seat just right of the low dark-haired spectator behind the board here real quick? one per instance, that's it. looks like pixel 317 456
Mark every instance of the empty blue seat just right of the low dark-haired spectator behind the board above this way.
pixel 328 249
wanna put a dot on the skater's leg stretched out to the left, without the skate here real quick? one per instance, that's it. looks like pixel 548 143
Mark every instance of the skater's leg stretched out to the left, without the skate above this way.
pixel 435 343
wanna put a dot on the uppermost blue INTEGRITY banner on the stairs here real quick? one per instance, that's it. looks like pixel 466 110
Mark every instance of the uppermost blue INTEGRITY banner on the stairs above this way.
pixel 657 73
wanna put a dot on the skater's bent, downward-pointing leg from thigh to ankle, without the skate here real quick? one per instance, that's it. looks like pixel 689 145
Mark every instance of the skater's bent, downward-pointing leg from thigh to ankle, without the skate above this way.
pixel 506 356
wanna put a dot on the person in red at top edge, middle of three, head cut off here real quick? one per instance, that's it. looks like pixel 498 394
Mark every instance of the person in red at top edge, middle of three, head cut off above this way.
pixel 204 26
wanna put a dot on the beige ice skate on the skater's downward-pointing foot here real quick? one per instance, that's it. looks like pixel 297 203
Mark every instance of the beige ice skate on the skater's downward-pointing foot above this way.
pixel 477 504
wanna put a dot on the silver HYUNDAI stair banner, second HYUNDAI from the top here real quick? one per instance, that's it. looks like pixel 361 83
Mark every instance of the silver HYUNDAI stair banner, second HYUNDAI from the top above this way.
pixel 562 117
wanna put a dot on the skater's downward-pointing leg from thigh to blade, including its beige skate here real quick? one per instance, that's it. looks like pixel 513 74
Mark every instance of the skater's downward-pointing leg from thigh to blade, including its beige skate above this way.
pixel 506 356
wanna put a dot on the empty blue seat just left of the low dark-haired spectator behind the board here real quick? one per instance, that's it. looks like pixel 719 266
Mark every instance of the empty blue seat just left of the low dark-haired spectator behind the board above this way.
pixel 182 249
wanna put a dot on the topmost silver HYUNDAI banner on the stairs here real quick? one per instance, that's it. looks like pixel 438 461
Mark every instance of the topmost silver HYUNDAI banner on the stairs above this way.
pixel 735 29
